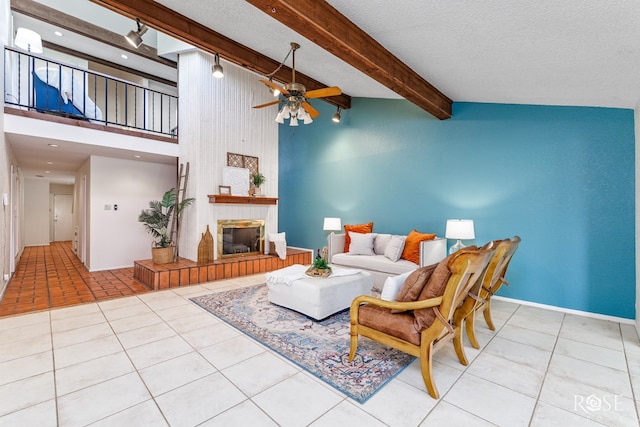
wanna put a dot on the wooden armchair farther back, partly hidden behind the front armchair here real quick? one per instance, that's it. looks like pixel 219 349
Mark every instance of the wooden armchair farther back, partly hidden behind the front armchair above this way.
pixel 479 298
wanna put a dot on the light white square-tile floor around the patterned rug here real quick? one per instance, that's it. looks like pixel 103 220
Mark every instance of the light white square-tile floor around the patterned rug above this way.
pixel 158 359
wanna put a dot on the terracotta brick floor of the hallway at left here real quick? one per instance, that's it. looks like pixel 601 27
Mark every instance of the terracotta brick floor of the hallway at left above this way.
pixel 52 276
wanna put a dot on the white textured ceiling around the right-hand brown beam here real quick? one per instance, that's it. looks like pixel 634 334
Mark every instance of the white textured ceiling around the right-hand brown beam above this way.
pixel 568 52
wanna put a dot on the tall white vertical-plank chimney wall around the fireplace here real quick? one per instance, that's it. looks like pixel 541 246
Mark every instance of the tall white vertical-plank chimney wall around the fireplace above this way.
pixel 216 117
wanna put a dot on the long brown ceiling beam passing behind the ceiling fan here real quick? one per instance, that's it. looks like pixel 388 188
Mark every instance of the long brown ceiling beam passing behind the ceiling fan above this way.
pixel 181 27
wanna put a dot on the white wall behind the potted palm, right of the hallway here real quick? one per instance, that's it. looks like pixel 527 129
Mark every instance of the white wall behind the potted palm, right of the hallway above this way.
pixel 116 237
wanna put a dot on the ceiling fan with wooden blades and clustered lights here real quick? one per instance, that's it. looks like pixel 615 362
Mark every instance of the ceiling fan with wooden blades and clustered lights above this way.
pixel 295 95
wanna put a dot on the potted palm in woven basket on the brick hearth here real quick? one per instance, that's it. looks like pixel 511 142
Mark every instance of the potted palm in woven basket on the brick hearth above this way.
pixel 157 220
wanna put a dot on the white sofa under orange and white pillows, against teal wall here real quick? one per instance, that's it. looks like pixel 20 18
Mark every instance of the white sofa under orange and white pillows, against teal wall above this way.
pixel 381 267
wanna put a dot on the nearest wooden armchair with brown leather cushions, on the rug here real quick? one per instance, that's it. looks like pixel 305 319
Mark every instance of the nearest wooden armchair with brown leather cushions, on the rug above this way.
pixel 420 327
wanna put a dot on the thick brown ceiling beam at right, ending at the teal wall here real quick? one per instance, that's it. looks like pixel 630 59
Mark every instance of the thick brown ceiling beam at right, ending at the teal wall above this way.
pixel 319 22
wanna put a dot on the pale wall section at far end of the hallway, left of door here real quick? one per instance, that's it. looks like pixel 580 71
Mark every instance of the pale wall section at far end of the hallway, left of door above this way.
pixel 36 212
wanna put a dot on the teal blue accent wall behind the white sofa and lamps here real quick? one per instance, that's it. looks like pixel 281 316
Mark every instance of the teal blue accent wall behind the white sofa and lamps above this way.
pixel 562 178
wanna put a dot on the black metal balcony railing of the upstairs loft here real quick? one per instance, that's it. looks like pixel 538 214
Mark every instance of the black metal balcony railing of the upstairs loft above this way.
pixel 34 82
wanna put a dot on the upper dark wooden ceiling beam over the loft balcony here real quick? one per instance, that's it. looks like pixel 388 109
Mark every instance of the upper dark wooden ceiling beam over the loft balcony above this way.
pixel 59 19
